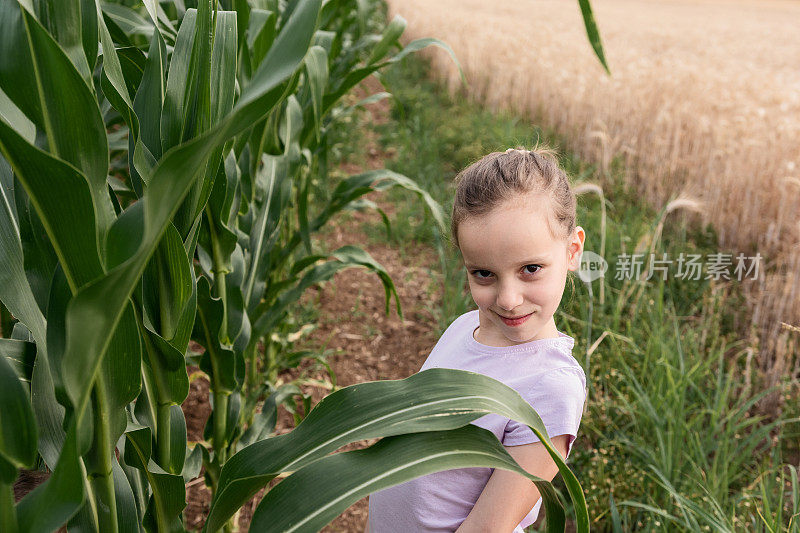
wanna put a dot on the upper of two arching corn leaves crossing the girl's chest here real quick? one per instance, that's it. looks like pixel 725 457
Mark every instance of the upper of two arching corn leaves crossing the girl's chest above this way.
pixel 435 399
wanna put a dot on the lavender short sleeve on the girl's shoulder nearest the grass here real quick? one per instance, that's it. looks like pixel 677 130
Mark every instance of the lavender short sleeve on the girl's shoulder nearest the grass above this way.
pixel 558 397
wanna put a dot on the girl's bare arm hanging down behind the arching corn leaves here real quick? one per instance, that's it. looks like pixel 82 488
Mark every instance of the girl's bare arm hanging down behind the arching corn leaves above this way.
pixel 508 496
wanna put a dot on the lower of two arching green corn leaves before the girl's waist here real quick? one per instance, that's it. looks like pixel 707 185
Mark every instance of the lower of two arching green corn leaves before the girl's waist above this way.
pixel 331 484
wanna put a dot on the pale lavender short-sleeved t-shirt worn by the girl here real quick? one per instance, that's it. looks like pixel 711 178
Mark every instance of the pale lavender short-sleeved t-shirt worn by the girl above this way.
pixel 543 372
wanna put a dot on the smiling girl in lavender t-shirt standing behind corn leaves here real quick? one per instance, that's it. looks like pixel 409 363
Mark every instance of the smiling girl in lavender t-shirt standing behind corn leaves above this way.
pixel 513 221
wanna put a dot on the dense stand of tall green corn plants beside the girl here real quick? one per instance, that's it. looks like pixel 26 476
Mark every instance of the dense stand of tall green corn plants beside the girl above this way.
pixel 155 176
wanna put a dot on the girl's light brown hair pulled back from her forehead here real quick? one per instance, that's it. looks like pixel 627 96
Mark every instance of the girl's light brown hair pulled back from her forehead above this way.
pixel 502 176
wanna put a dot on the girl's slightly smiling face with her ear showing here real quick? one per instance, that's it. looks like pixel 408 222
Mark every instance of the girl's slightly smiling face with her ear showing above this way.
pixel 517 270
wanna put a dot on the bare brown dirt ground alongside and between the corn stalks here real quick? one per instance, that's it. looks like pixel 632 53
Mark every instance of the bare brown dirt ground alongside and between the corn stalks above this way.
pixel 369 345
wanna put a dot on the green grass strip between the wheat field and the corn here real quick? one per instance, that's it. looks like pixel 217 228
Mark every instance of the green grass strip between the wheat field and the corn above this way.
pixel 670 434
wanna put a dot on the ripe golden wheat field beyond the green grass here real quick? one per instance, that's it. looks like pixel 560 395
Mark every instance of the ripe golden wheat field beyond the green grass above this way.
pixel 703 102
